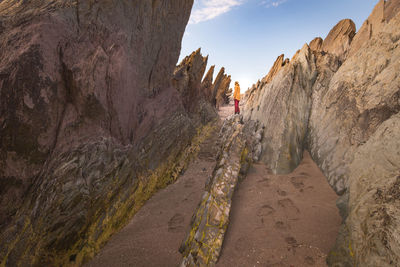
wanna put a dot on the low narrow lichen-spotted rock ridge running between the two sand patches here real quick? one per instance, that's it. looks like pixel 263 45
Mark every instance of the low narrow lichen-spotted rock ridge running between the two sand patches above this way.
pixel 203 243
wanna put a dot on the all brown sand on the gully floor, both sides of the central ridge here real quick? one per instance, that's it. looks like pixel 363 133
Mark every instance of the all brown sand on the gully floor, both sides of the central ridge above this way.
pixel 276 220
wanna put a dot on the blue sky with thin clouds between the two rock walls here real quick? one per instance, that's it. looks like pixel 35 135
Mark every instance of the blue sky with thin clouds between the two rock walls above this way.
pixel 246 36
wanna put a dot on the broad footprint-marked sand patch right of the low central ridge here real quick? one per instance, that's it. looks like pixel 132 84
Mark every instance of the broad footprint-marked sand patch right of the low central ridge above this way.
pixel 281 220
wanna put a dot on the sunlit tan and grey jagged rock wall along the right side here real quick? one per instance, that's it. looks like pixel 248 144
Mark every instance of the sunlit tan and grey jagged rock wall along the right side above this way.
pixel 341 101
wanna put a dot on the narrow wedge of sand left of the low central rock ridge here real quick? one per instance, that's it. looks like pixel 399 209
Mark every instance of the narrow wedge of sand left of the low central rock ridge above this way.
pixel 153 236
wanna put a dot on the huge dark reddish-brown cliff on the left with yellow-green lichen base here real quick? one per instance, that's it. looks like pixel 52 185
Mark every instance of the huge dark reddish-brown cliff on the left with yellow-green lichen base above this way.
pixel 91 125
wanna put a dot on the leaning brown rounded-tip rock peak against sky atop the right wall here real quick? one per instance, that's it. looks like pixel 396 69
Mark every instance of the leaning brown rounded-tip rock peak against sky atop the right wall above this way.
pixel 339 38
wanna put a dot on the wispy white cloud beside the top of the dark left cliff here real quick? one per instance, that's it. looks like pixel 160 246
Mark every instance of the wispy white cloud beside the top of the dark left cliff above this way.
pixel 204 10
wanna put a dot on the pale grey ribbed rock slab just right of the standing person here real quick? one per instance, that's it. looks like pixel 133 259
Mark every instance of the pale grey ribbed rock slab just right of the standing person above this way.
pixel 283 107
